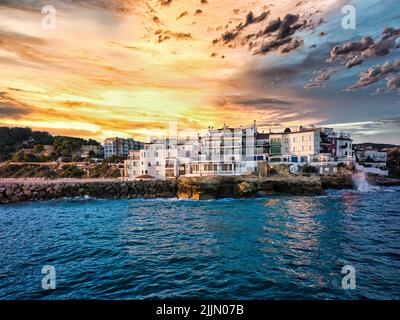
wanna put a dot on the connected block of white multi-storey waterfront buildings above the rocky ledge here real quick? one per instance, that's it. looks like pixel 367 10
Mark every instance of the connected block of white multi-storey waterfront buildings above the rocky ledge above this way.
pixel 230 151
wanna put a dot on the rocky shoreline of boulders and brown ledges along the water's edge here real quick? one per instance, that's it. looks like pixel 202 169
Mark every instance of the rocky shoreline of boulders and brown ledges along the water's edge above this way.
pixel 184 188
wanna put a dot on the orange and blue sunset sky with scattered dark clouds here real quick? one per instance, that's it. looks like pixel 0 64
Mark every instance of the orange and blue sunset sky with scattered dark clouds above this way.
pixel 128 67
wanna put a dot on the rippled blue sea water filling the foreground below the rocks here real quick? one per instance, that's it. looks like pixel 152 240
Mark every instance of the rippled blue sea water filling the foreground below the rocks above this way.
pixel 266 248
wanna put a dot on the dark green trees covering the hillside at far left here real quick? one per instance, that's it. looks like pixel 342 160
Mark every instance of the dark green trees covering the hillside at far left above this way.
pixel 13 140
